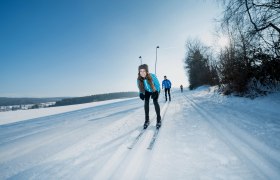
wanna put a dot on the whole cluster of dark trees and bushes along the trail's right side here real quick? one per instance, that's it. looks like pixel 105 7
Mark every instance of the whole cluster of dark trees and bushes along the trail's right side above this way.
pixel 250 64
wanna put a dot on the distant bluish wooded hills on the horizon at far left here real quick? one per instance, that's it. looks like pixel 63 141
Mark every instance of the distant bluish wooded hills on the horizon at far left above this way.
pixel 5 101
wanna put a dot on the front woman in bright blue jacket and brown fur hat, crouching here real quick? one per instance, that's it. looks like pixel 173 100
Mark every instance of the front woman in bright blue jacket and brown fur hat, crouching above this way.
pixel 149 86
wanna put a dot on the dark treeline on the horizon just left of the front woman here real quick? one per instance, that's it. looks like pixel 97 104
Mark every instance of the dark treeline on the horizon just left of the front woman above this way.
pixel 94 98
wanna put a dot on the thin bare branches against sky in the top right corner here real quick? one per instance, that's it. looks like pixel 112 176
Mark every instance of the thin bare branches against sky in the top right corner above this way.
pixel 261 19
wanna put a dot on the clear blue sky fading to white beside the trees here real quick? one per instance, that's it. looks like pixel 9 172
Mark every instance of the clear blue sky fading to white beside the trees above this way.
pixel 51 48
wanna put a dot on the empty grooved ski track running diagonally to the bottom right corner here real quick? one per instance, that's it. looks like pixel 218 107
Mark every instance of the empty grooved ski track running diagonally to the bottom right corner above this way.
pixel 260 157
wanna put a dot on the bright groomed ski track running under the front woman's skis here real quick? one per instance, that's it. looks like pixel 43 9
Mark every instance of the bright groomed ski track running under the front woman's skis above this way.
pixel 132 163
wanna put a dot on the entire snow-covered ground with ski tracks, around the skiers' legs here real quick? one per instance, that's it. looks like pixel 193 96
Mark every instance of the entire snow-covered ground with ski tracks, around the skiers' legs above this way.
pixel 204 136
